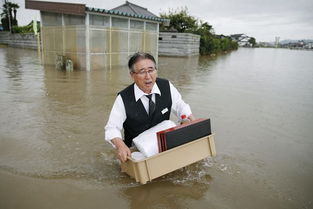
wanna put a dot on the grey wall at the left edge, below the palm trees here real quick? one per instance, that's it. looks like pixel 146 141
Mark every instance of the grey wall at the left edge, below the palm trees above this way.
pixel 28 40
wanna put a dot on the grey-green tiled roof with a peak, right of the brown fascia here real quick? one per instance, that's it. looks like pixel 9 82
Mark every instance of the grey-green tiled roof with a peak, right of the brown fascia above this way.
pixel 129 10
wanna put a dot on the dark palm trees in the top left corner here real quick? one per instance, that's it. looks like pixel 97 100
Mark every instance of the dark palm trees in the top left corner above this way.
pixel 8 19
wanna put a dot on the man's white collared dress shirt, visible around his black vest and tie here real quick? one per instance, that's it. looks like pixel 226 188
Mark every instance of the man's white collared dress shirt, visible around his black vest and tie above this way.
pixel 117 117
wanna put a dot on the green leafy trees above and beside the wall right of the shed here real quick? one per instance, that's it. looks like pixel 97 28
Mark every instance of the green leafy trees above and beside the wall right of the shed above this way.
pixel 210 43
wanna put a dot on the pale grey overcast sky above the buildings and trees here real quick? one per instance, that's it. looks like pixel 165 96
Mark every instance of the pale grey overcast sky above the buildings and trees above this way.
pixel 262 19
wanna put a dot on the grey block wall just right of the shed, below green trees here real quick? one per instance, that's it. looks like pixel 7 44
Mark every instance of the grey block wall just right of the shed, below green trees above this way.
pixel 178 44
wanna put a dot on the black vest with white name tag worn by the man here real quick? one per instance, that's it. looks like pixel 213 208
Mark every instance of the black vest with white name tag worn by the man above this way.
pixel 137 118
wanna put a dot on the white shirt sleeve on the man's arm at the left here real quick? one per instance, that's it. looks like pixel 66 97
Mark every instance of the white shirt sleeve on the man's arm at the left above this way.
pixel 117 117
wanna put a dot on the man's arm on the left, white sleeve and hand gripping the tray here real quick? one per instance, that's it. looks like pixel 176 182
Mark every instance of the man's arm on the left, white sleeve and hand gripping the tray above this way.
pixel 113 129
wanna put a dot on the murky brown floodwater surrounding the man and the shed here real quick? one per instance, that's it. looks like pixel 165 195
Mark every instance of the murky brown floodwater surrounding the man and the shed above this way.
pixel 260 101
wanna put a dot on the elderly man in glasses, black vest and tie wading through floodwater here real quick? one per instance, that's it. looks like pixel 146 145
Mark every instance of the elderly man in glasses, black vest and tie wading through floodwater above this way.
pixel 142 105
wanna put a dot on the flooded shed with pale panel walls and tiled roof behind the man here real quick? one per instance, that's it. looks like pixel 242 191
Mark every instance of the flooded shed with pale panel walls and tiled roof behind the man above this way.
pixel 95 38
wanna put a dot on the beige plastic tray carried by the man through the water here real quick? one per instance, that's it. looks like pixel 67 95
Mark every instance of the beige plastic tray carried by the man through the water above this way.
pixel 170 160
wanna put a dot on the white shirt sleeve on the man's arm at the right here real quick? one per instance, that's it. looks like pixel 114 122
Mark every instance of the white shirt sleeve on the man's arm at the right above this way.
pixel 179 107
